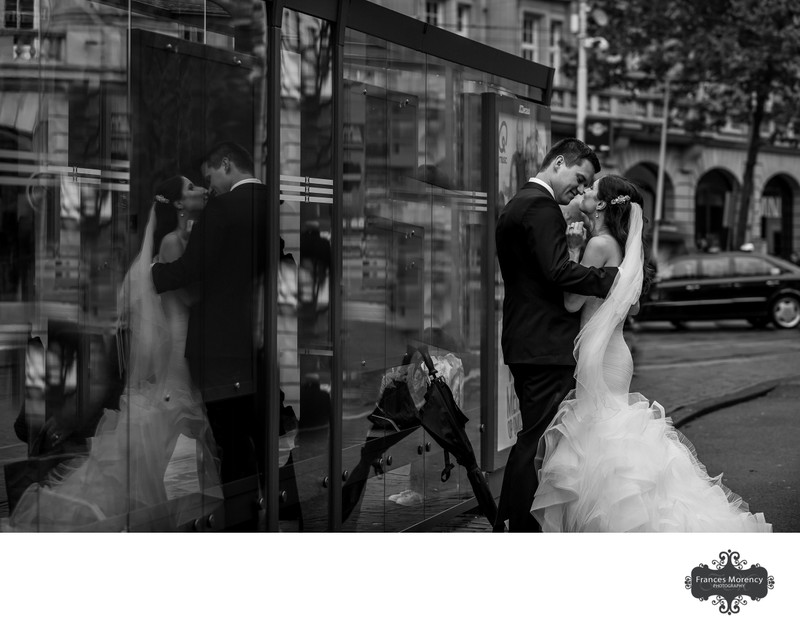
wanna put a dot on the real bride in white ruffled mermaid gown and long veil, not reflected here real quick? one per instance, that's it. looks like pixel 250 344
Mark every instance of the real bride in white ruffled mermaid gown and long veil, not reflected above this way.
pixel 611 461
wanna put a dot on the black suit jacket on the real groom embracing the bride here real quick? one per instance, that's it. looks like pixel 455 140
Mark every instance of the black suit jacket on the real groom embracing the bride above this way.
pixel 534 261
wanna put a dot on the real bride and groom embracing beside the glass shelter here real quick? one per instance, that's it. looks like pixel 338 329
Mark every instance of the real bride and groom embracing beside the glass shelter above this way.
pixel 591 455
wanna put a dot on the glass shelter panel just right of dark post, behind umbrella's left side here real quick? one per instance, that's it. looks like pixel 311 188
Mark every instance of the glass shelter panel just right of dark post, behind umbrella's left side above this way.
pixel 384 265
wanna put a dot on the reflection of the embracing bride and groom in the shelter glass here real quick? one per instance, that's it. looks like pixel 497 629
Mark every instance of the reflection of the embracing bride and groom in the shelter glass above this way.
pixel 188 303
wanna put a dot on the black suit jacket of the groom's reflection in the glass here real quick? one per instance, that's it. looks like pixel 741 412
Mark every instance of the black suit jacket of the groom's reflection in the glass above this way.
pixel 223 263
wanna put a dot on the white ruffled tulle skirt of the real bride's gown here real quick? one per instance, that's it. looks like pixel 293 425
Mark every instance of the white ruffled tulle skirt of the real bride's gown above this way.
pixel 625 468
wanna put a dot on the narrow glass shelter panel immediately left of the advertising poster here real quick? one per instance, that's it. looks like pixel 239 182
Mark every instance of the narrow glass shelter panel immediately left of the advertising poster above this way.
pixel 455 197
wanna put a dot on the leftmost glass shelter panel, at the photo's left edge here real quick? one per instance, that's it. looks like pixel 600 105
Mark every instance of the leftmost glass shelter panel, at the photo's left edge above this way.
pixel 63 180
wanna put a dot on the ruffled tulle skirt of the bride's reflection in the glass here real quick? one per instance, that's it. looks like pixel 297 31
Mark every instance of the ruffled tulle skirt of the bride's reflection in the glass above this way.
pixel 120 483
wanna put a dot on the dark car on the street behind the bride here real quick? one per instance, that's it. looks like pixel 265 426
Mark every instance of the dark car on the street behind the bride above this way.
pixel 756 287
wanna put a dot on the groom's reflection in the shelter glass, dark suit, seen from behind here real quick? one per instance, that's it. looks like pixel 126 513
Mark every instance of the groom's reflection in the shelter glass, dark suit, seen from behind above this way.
pixel 222 263
